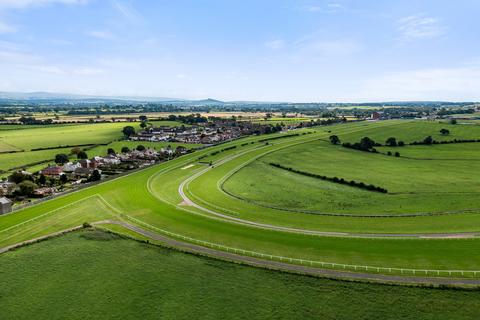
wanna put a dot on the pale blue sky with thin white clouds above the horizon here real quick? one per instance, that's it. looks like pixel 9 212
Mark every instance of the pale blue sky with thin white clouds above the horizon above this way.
pixel 262 50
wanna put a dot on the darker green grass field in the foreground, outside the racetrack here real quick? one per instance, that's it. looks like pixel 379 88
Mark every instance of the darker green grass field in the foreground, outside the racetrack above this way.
pixel 90 274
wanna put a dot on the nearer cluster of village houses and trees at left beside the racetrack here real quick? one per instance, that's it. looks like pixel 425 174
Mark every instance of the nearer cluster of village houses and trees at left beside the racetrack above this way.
pixel 65 175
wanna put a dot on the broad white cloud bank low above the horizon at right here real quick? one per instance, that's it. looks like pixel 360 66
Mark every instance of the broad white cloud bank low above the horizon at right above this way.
pixel 457 83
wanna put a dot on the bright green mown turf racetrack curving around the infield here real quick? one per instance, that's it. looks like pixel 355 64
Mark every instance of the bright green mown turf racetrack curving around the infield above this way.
pixel 152 196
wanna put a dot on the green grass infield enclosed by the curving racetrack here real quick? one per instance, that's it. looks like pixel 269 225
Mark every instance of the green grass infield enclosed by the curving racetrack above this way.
pixel 434 179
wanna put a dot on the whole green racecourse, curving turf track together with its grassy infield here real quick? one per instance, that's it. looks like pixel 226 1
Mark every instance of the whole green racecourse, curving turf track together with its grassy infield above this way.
pixel 242 204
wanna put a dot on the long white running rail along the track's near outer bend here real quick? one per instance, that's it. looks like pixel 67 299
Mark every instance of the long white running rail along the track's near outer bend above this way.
pixel 313 263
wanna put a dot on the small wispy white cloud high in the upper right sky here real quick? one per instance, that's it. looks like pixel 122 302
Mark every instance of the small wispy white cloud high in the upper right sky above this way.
pixel 420 27
